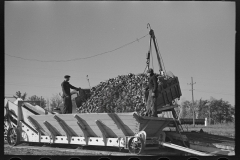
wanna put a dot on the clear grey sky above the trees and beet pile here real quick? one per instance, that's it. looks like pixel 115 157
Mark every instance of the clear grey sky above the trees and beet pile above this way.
pixel 195 39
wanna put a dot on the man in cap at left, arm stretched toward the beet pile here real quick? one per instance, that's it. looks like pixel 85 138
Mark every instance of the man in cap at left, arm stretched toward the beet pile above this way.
pixel 67 101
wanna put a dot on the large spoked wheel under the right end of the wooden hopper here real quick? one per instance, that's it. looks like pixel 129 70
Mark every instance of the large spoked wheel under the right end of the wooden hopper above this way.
pixel 136 145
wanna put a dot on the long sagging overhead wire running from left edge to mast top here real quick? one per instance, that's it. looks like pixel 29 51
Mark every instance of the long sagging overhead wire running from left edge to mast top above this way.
pixel 75 59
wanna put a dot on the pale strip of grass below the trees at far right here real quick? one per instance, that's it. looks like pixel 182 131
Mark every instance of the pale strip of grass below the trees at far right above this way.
pixel 227 129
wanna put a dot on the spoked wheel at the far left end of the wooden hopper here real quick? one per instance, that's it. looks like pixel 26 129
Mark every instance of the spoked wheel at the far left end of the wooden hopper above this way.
pixel 13 136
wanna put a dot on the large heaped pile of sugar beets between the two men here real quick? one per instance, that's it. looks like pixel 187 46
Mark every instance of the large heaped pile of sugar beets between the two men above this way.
pixel 125 93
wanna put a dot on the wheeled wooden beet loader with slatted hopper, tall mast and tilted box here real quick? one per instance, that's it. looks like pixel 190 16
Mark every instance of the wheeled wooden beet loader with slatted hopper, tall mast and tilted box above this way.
pixel 25 124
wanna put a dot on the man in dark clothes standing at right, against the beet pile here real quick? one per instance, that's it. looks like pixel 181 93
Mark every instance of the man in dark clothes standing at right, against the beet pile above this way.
pixel 152 95
